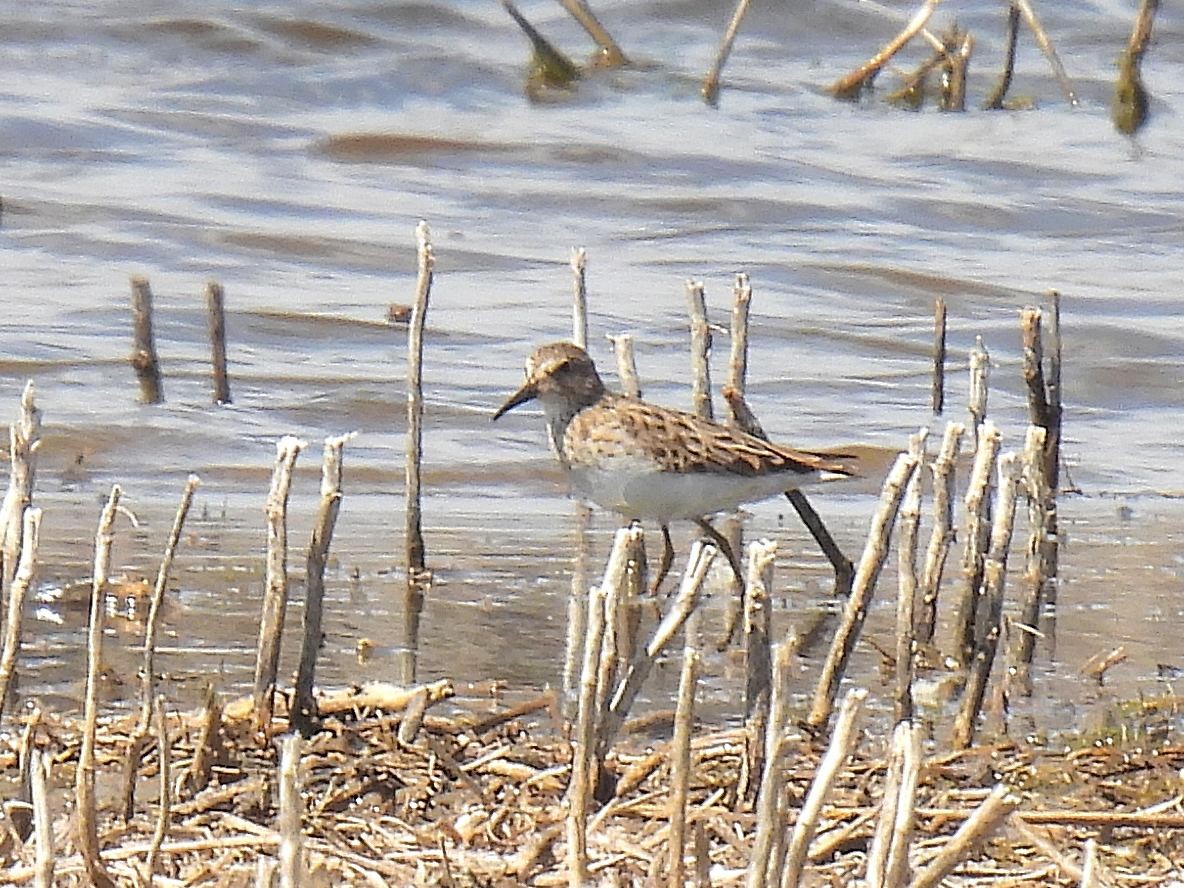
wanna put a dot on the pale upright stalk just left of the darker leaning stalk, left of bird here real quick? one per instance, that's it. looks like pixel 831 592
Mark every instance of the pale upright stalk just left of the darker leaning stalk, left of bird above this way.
pixel 275 595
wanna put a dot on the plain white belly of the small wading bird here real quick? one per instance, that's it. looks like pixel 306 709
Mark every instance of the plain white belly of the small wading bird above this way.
pixel 640 492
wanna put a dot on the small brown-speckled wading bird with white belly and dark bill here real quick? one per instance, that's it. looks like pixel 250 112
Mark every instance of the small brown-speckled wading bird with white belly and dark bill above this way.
pixel 649 462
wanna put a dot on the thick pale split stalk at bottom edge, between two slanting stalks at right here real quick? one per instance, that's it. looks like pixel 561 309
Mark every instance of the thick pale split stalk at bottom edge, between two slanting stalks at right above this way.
pixel 889 854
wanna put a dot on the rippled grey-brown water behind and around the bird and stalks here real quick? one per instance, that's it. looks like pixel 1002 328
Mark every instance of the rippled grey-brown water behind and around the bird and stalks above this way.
pixel 288 151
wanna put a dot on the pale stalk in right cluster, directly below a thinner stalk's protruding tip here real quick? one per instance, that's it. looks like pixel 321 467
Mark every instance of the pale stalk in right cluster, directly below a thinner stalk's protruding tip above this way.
pixel 977 537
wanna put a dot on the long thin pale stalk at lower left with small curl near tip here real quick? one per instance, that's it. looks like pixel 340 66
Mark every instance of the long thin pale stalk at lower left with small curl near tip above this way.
pixel 88 814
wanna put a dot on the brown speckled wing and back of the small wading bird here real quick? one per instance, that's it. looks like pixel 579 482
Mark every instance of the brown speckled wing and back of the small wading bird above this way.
pixel 683 442
